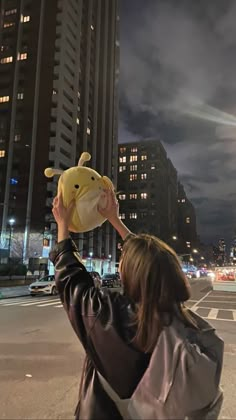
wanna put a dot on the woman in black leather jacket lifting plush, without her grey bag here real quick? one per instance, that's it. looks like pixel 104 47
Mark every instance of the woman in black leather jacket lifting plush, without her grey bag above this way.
pixel 118 331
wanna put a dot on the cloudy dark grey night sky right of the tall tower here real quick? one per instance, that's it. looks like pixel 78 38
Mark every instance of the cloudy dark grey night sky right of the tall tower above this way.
pixel 178 84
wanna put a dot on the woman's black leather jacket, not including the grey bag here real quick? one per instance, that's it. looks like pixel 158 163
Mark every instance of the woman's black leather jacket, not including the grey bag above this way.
pixel 101 320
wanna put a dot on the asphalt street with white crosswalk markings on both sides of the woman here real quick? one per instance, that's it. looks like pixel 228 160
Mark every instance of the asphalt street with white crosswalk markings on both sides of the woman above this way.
pixel 41 358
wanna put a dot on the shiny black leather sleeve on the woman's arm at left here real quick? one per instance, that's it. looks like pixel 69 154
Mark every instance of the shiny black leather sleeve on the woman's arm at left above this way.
pixel 75 286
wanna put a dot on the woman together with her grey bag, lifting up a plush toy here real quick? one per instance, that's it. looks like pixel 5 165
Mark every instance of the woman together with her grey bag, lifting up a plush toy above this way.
pixel 146 354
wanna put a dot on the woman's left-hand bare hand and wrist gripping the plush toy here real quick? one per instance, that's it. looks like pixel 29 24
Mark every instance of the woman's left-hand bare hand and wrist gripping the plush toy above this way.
pixel 62 216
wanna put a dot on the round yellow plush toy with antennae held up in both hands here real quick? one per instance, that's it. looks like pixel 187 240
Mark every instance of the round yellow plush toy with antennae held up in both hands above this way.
pixel 86 187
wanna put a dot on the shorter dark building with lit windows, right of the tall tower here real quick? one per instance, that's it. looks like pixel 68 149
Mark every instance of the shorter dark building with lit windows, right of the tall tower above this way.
pixel 147 185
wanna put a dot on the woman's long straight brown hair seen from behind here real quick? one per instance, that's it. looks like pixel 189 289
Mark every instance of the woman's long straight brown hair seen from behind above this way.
pixel 154 281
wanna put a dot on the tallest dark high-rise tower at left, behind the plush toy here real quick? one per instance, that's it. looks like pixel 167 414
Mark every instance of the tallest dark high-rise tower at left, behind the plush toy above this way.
pixel 58 97
